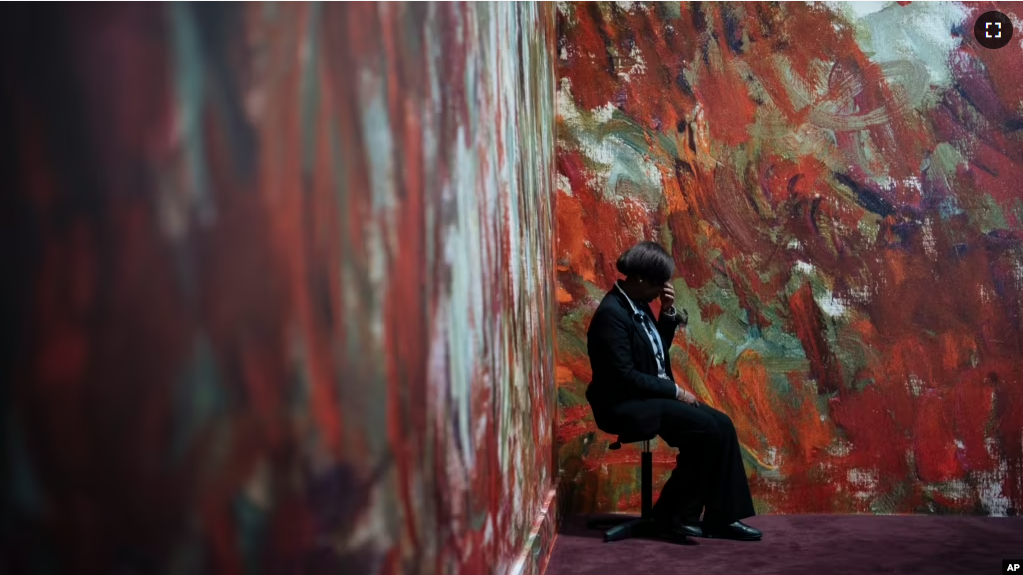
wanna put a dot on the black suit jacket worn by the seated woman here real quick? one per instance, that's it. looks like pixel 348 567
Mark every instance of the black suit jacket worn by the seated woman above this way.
pixel 624 364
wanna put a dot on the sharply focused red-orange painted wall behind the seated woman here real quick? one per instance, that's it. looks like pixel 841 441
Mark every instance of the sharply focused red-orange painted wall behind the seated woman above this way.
pixel 839 187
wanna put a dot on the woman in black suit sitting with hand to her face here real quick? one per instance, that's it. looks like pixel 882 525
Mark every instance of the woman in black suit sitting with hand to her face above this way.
pixel 634 392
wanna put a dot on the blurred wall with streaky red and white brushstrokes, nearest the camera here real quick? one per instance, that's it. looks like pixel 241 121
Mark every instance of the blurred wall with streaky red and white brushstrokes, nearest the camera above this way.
pixel 279 287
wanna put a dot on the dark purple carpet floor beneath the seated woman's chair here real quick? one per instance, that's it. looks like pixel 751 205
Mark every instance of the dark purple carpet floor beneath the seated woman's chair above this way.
pixel 806 546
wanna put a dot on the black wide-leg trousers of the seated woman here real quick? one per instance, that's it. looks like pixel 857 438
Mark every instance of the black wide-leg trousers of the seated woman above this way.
pixel 708 474
